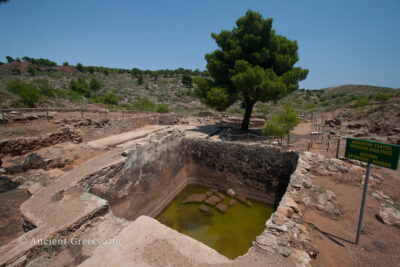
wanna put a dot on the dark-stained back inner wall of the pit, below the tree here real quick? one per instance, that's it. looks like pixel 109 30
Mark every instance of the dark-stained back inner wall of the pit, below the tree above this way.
pixel 255 171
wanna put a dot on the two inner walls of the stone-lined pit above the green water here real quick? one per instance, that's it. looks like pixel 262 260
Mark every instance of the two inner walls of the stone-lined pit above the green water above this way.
pixel 156 171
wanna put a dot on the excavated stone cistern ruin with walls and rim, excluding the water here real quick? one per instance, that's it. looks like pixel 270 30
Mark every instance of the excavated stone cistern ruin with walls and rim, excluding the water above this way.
pixel 137 180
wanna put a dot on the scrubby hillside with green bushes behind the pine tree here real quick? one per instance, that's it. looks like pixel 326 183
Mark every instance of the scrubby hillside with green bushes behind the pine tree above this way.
pixel 146 90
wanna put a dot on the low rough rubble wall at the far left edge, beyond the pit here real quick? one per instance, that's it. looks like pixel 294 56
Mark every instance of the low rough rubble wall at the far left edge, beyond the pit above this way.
pixel 23 145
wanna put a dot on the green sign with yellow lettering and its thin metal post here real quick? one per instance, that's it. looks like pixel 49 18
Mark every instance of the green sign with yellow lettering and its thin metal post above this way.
pixel 381 154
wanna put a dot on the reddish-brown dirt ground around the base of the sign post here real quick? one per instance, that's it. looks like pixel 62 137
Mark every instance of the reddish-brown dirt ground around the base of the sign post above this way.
pixel 379 243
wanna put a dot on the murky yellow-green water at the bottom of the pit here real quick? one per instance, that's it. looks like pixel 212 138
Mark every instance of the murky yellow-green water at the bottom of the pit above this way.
pixel 230 233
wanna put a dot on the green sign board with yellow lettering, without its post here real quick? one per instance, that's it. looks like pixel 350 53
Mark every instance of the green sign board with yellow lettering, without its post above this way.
pixel 381 154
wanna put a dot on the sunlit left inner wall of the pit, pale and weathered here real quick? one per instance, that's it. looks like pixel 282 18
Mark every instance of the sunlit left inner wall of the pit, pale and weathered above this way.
pixel 153 174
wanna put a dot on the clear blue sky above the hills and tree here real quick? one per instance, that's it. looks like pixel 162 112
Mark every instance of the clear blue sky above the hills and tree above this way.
pixel 340 42
